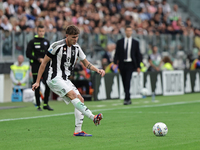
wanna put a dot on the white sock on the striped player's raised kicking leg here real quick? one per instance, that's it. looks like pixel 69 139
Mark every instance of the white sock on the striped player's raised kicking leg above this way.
pixel 82 108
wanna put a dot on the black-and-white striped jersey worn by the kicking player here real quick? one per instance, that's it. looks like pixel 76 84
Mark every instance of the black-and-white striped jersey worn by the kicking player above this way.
pixel 63 59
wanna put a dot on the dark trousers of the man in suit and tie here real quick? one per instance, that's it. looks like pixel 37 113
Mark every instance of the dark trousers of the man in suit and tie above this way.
pixel 126 73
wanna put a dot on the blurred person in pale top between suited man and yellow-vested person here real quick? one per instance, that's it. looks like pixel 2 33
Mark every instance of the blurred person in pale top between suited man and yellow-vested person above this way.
pixel 155 60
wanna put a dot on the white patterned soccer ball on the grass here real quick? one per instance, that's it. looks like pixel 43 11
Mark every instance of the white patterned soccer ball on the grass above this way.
pixel 160 129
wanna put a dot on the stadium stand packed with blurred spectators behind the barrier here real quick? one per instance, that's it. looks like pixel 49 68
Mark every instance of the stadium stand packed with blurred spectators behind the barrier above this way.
pixel 168 24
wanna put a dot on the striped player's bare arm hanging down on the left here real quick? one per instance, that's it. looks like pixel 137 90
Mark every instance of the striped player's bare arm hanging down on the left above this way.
pixel 40 72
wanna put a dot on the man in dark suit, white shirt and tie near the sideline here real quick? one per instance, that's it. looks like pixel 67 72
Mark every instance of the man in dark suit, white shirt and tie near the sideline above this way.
pixel 128 58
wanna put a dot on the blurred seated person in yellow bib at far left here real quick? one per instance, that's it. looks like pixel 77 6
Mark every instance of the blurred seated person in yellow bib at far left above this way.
pixel 19 73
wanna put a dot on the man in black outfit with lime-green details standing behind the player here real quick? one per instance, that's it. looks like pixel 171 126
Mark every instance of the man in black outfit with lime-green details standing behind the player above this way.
pixel 36 51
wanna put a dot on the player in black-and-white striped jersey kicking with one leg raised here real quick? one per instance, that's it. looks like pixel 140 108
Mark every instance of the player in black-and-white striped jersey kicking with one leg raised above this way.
pixel 62 56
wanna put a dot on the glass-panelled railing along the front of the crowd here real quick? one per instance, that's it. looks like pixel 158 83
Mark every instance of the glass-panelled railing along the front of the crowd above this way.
pixel 14 43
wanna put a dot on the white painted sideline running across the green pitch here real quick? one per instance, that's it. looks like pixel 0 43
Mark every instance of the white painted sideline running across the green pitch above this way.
pixel 125 107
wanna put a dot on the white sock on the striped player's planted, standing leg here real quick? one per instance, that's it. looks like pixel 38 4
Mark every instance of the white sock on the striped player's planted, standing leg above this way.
pixel 78 120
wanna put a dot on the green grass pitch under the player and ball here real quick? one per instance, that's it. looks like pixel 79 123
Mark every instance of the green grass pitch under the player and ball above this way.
pixel 122 128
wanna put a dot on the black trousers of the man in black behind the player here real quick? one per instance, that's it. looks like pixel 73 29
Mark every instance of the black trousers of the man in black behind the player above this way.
pixel 37 91
